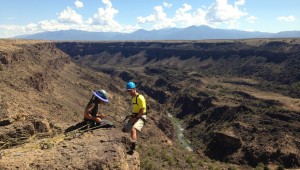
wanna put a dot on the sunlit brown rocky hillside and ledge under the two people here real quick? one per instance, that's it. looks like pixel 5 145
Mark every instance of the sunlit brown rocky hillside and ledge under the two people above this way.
pixel 43 93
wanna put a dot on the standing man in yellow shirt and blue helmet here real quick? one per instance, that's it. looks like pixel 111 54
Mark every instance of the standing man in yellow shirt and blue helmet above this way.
pixel 138 116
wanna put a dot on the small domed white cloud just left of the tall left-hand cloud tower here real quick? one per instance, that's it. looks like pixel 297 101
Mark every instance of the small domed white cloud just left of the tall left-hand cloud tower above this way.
pixel 69 16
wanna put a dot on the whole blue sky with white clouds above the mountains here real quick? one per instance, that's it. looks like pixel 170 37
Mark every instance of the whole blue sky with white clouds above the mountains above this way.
pixel 19 17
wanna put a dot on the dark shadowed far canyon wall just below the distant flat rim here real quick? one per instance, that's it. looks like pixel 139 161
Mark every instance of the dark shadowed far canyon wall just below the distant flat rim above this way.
pixel 274 61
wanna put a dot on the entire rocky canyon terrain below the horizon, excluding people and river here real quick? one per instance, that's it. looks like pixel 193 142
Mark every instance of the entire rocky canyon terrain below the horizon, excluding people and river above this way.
pixel 232 120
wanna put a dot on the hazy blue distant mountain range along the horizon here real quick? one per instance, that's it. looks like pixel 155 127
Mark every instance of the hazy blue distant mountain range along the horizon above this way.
pixel 189 33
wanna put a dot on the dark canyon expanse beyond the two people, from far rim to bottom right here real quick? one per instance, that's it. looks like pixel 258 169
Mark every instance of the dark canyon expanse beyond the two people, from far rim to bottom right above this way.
pixel 238 99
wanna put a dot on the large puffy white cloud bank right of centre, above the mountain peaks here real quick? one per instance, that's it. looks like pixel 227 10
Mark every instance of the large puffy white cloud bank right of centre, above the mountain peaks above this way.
pixel 220 12
